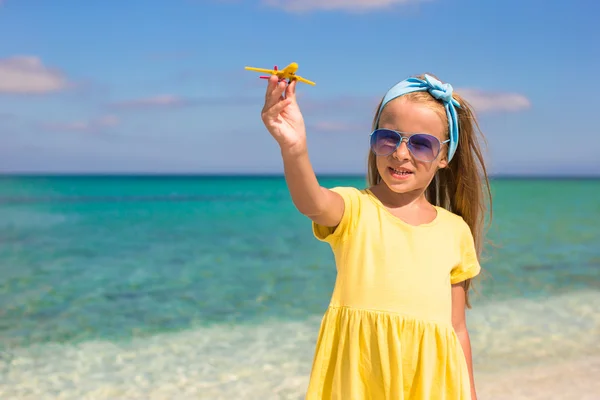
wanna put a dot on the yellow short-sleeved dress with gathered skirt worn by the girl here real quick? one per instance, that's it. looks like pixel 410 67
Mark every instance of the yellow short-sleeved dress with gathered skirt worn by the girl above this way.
pixel 387 333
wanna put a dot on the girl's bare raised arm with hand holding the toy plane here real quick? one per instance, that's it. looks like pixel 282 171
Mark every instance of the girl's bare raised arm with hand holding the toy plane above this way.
pixel 284 121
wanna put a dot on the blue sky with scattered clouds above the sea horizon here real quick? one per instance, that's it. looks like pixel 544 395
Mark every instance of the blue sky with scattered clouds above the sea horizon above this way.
pixel 160 87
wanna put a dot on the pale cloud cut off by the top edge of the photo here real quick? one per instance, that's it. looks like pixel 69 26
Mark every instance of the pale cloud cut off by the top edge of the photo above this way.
pixel 330 5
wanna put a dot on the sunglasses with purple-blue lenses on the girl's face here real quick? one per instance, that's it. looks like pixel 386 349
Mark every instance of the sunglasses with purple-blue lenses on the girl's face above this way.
pixel 422 146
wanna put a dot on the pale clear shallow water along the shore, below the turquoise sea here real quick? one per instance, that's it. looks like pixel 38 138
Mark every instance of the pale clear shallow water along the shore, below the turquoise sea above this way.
pixel 272 360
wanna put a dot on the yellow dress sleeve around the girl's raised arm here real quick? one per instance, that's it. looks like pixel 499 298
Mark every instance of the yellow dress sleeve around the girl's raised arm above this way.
pixel 333 234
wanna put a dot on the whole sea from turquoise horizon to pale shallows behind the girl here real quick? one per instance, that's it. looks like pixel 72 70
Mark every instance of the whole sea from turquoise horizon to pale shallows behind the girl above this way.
pixel 213 287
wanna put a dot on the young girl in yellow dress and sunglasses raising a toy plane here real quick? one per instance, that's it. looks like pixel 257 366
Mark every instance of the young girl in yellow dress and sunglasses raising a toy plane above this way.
pixel 405 248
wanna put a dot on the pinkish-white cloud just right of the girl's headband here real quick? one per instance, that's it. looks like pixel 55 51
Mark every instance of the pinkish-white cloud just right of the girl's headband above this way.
pixel 483 101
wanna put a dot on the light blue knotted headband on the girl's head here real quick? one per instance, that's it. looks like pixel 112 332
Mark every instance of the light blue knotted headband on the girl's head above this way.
pixel 439 90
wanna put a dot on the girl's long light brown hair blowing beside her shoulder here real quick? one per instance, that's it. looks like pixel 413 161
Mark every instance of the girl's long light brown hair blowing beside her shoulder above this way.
pixel 463 186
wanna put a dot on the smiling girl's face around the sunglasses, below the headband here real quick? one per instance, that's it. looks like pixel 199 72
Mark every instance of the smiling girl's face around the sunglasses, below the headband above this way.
pixel 401 171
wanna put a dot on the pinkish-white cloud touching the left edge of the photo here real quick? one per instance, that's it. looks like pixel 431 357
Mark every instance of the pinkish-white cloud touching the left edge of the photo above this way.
pixel 28 75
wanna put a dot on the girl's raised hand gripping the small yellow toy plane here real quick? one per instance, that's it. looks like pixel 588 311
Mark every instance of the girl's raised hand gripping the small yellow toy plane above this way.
pixel 282 117
